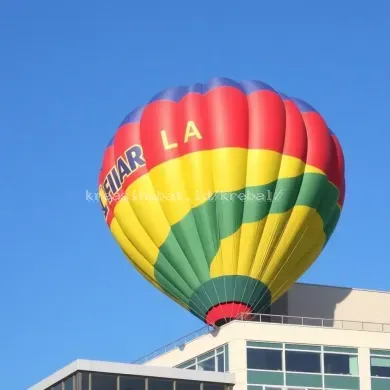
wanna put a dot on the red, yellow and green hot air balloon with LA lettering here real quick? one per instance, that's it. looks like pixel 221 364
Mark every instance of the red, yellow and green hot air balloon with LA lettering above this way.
pixel 222 194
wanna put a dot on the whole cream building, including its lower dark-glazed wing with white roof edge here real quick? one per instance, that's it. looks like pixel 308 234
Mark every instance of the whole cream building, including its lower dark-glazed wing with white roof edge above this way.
pixel 315 337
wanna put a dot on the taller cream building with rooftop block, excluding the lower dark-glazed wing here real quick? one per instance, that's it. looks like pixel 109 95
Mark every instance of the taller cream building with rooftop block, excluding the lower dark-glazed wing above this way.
pixel 315 337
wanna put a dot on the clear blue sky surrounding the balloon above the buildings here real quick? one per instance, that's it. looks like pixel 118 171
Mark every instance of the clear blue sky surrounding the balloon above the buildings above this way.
pixel 70 71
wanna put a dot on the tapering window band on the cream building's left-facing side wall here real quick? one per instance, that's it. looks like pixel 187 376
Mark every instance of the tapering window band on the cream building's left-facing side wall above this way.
pixel 215 360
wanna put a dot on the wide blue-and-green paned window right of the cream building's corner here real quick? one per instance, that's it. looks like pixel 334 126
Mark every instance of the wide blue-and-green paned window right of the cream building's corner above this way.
pixel 278 366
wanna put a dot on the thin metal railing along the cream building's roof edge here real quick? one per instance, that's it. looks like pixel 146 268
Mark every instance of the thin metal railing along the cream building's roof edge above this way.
pixel 271 319
